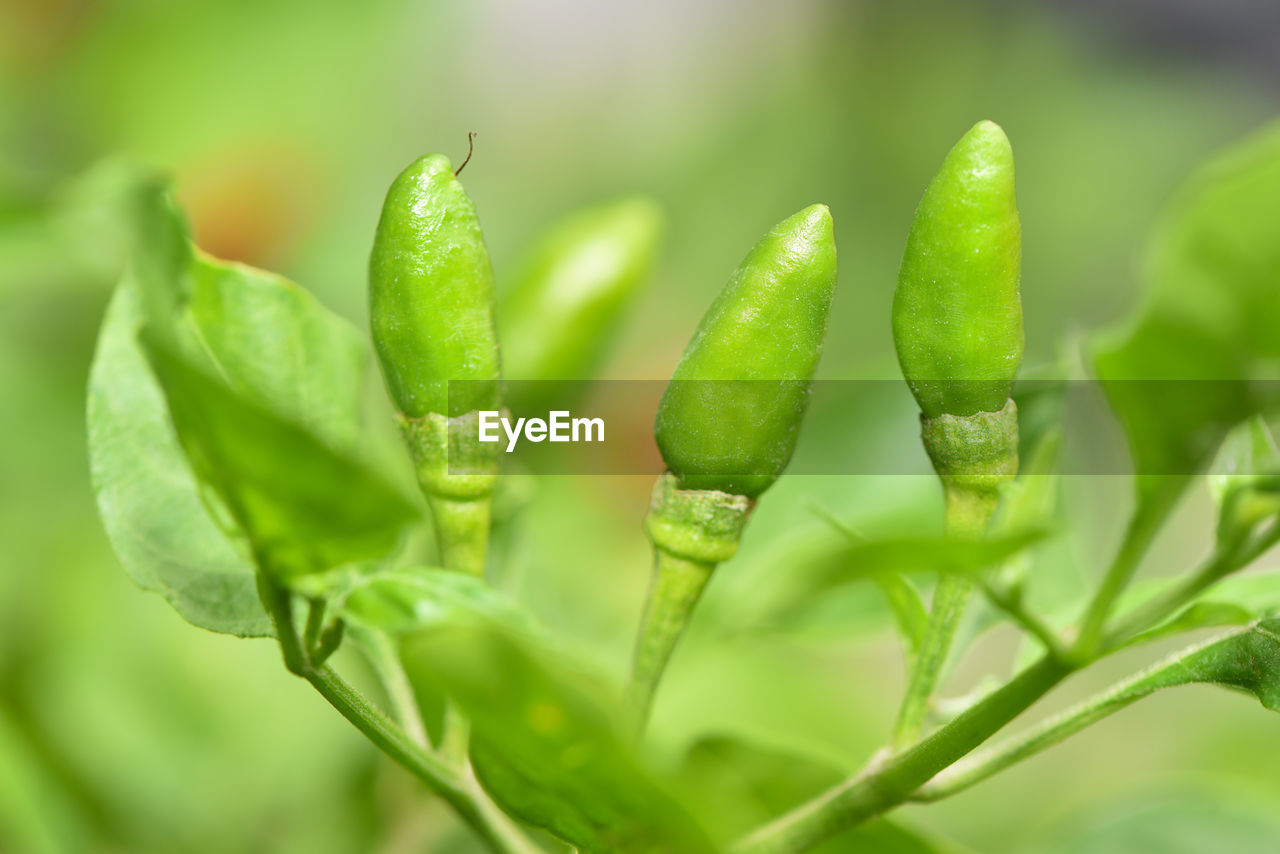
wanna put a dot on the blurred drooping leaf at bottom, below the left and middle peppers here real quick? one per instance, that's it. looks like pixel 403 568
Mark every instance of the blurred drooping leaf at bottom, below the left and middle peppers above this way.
pixel 546 745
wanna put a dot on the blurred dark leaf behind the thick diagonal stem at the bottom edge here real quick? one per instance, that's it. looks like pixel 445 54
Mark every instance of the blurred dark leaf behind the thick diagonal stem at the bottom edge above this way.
pixel 742 786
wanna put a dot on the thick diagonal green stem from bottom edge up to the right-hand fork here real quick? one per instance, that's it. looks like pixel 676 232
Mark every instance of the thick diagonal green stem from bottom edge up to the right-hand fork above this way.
pixel 892 783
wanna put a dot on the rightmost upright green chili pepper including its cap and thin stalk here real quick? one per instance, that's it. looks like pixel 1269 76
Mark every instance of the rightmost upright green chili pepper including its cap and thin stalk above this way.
pixel 958 327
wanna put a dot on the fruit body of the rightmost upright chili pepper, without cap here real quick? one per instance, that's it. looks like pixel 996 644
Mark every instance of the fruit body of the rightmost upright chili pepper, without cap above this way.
pixel 958 318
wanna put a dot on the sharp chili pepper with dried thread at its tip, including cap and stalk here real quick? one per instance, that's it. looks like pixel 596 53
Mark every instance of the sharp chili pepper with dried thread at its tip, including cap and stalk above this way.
pixel 432 310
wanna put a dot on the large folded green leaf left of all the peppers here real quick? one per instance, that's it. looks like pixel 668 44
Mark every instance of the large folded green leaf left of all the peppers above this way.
pixel 264 387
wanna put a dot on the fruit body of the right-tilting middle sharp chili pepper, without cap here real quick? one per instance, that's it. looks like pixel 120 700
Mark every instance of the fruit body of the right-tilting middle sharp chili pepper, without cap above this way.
pixel 766 328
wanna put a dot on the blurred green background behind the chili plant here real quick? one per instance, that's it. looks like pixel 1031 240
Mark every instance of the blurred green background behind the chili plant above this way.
pixel 282 122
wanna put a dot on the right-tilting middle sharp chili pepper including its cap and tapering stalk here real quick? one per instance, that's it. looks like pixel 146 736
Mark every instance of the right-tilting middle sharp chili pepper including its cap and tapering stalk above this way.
pixel 729 422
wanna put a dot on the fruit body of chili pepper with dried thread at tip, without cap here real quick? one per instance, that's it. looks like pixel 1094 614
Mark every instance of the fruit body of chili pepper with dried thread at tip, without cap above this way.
pixel 432 295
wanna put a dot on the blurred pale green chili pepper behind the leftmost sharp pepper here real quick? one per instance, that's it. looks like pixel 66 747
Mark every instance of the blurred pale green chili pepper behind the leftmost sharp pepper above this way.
pixel 572 290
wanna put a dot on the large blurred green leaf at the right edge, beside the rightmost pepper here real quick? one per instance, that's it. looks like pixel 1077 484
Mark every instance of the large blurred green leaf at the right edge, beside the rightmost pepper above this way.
pixel 1180 378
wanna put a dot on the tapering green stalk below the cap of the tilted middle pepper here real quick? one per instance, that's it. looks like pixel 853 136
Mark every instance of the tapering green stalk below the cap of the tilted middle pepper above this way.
pixel 678 583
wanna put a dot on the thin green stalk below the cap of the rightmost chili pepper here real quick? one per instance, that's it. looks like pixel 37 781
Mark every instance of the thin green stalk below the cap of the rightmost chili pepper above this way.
pixel 967 515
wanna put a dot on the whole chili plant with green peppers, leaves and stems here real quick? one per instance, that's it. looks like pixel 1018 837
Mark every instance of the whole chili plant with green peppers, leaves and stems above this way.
pixel 235 478
